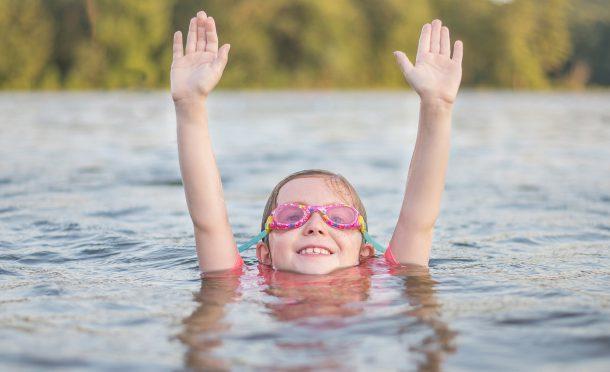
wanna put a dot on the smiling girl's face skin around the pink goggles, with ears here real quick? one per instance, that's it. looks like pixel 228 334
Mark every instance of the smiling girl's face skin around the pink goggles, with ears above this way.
pixel 346 246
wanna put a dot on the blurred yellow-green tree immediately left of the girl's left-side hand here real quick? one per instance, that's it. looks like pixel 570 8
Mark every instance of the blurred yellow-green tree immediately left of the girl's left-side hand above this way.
pixel 128 43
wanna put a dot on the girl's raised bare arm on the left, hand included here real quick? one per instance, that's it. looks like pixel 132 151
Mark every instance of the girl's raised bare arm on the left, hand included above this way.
pixel 195 72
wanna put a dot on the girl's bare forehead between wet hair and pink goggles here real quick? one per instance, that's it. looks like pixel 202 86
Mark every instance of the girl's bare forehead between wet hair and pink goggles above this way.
pixel 311 190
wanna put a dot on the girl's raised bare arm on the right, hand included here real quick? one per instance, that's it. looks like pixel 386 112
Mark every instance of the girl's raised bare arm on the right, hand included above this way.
pixel 436 78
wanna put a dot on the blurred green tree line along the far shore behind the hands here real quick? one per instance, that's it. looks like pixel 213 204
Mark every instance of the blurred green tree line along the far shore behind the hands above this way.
pixel 117 44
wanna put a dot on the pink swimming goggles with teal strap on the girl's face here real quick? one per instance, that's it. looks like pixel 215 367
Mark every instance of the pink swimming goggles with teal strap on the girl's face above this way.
pixel 294 215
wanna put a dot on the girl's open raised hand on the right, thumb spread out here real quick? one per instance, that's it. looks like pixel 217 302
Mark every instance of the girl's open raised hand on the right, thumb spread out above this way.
pixel 436 75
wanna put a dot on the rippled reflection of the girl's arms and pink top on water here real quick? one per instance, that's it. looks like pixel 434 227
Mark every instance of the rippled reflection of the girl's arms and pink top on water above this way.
pixel 314 308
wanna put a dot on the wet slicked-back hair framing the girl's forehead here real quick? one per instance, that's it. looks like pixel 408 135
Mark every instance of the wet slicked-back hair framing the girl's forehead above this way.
pixel 336 182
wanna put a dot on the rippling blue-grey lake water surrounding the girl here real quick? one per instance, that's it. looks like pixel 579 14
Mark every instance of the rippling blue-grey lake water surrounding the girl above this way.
pixel 98 267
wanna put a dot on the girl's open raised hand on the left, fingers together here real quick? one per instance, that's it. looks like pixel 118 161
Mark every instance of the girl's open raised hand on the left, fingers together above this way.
pixel 196 72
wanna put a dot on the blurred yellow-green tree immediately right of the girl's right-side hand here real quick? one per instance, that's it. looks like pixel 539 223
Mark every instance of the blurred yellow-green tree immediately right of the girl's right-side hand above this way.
pixel 513 44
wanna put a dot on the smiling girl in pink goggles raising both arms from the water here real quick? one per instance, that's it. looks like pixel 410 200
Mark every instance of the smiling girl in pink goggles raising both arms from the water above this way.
pixel 314 221
